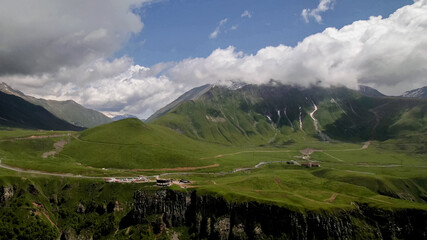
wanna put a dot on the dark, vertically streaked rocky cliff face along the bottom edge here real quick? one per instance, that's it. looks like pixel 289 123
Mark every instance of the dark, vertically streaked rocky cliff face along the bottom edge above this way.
pixel 210 217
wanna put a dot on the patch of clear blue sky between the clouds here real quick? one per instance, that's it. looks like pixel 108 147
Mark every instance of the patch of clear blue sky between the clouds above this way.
pixel 178 29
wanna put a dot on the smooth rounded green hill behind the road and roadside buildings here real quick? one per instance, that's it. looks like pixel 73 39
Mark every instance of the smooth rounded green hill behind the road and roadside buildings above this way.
pixel 130 143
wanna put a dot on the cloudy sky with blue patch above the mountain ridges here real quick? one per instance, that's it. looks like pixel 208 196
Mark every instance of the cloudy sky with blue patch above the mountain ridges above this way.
pixel 136 56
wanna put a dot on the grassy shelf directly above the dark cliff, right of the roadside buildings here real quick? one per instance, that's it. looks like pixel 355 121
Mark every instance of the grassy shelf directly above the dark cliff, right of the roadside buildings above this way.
pixel 295 188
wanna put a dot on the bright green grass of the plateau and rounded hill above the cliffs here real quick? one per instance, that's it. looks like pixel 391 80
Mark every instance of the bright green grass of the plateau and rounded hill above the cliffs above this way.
pixel 373 175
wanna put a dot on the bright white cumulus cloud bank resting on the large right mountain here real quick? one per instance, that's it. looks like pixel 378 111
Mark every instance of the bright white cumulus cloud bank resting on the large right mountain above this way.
pixel 389 53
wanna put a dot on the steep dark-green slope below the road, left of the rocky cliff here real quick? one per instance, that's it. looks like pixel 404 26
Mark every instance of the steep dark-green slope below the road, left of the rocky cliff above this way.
pixel 48 207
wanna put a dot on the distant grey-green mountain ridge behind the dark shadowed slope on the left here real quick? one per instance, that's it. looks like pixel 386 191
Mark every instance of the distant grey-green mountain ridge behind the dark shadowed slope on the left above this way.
pixel 69 111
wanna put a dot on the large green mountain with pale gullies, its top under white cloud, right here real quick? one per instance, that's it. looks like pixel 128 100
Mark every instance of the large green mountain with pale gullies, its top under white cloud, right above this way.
pixel 277 114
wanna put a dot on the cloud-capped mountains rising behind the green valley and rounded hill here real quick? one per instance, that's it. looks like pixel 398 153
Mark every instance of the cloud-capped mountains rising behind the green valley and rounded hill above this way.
pixel 255 114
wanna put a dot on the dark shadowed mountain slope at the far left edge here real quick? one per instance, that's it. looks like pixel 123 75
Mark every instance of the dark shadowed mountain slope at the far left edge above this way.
pixel 16 112
